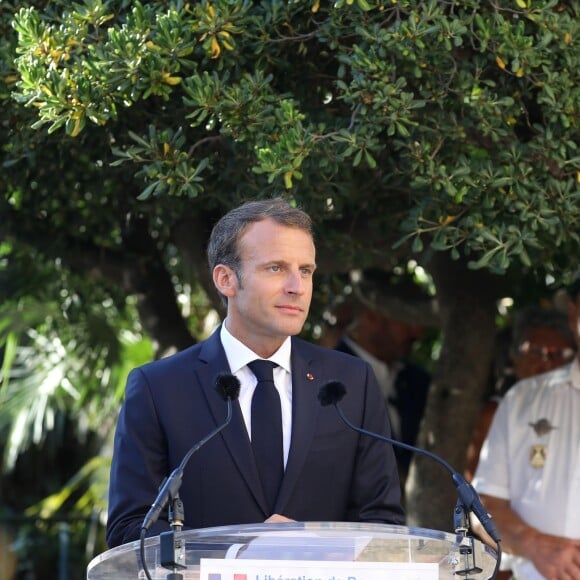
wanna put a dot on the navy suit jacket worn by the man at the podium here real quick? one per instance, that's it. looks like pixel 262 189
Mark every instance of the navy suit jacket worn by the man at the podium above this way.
pixel 332 473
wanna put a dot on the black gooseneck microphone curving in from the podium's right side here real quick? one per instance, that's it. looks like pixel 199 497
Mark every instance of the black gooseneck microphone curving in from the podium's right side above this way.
pixel 332 393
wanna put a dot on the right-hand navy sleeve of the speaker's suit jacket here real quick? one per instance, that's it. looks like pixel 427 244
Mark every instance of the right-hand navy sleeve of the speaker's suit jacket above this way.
pixel 375 493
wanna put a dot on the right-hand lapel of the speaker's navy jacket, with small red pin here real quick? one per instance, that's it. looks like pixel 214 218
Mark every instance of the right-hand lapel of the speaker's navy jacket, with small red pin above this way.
pixel 305 409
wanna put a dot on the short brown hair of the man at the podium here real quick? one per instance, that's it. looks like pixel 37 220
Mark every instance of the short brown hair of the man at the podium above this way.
pixel 223 246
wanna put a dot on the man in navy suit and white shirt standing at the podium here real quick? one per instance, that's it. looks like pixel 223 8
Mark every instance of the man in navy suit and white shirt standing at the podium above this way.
pixel 262 258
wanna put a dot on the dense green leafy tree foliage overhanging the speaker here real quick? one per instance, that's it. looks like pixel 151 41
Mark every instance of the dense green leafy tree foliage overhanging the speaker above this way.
pixel 458 119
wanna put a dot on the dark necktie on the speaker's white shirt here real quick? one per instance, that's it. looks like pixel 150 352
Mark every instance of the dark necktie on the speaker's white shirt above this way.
pixel 267 429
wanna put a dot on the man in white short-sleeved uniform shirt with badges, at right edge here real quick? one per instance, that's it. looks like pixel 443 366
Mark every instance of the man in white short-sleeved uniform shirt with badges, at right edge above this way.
pixel 529 469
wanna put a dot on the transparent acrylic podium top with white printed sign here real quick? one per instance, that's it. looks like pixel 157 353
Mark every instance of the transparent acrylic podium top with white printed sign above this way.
pixel 371 550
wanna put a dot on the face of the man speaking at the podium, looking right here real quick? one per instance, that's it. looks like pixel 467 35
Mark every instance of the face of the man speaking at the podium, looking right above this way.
pixel 271 299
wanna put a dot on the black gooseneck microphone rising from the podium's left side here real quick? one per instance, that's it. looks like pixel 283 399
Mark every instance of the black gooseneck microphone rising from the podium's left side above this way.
pixel 228 387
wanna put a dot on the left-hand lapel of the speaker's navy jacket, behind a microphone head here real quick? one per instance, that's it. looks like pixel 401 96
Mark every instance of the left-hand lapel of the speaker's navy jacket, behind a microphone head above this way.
pixel 234 435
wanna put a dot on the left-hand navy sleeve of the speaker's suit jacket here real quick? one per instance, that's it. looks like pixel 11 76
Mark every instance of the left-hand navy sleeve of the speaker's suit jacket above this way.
pixel 139 464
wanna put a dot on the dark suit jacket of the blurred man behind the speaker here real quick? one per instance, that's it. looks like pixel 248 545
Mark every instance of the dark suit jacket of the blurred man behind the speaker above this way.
pixel 411 391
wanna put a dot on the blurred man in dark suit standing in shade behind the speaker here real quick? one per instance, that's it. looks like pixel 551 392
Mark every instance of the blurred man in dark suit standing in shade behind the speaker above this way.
pixel 382 329
